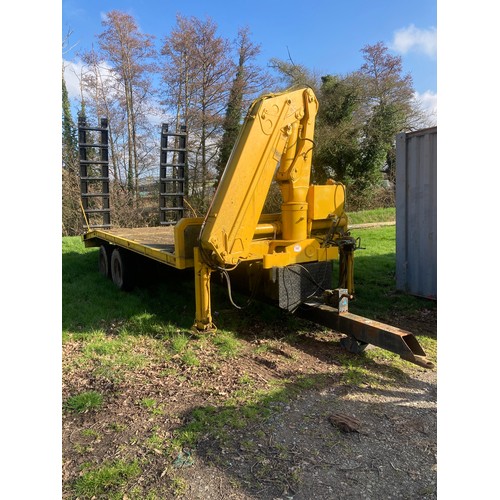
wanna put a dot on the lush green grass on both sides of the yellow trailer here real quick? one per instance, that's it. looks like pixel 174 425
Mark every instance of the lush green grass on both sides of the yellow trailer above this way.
pixel 94 310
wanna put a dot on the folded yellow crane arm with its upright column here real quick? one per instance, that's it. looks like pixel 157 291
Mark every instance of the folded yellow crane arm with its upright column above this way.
pixel 275 142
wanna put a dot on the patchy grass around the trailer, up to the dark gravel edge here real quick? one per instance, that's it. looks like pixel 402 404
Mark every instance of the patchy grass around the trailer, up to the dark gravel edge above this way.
pixel 124 353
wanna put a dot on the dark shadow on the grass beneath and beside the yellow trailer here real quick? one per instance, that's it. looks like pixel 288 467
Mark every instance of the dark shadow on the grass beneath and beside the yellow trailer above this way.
pixel 165 296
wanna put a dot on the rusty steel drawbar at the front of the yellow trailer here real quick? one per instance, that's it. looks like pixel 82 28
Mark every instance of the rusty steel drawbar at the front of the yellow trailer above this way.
pixel 362 331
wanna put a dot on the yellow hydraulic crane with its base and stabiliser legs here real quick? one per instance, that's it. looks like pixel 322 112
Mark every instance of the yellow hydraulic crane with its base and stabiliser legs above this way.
pixel 275 143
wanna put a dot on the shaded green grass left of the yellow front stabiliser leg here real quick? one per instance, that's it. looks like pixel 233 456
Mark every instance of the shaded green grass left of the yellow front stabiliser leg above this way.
pixel 92 302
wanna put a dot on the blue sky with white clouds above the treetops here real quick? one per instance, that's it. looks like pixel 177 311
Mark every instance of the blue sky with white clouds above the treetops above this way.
pixel 325 35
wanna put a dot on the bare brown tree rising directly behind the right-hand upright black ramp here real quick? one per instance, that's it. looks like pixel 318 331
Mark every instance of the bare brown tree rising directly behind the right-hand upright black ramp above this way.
pixel 197 73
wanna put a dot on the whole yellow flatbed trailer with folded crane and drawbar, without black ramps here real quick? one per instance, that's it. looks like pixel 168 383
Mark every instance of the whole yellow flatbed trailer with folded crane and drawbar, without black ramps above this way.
pixel 285 257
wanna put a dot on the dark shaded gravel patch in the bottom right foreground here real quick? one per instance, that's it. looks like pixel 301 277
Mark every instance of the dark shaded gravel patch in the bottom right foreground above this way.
pixel 282 442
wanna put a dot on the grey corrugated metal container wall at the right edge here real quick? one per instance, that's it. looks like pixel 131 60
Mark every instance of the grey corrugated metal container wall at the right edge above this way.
pixel 416 212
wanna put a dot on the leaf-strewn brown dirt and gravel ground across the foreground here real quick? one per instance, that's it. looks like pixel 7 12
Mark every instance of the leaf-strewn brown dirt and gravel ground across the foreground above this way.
pixel 385 448
